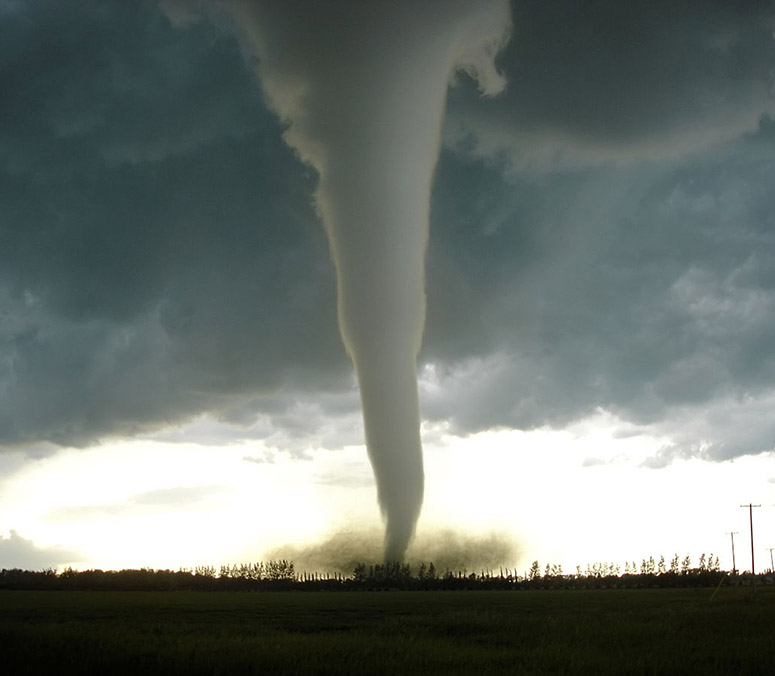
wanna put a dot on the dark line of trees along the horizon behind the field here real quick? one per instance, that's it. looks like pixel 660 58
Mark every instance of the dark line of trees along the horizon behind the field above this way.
pixel 281 575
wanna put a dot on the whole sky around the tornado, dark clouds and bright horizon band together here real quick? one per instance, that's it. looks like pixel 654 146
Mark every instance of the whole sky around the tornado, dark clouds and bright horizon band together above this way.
pixel 597 377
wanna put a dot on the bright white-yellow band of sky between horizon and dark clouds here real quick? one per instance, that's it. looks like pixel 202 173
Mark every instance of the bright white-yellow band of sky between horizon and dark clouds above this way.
pixel 576 497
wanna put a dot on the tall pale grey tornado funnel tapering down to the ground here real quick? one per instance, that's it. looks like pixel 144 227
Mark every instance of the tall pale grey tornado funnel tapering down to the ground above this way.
pixel 361 88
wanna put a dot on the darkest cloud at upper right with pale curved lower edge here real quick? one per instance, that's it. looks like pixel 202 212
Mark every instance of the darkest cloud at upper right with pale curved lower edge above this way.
pixel 603 80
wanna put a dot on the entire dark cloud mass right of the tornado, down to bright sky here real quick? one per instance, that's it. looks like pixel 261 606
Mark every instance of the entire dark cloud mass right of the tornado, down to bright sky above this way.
pixel 604 234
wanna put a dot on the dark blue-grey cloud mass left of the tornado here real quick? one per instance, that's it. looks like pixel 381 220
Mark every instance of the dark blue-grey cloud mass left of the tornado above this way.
pixel 158 253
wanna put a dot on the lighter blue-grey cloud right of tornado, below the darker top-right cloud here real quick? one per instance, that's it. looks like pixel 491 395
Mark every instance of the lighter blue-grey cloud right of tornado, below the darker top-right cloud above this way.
pixel 643 291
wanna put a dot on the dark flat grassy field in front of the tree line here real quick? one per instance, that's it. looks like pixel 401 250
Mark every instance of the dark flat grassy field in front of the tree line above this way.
pixel 661 631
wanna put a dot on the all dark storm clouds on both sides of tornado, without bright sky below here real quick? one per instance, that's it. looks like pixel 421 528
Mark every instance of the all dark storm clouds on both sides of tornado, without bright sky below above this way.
pixel 603 235
